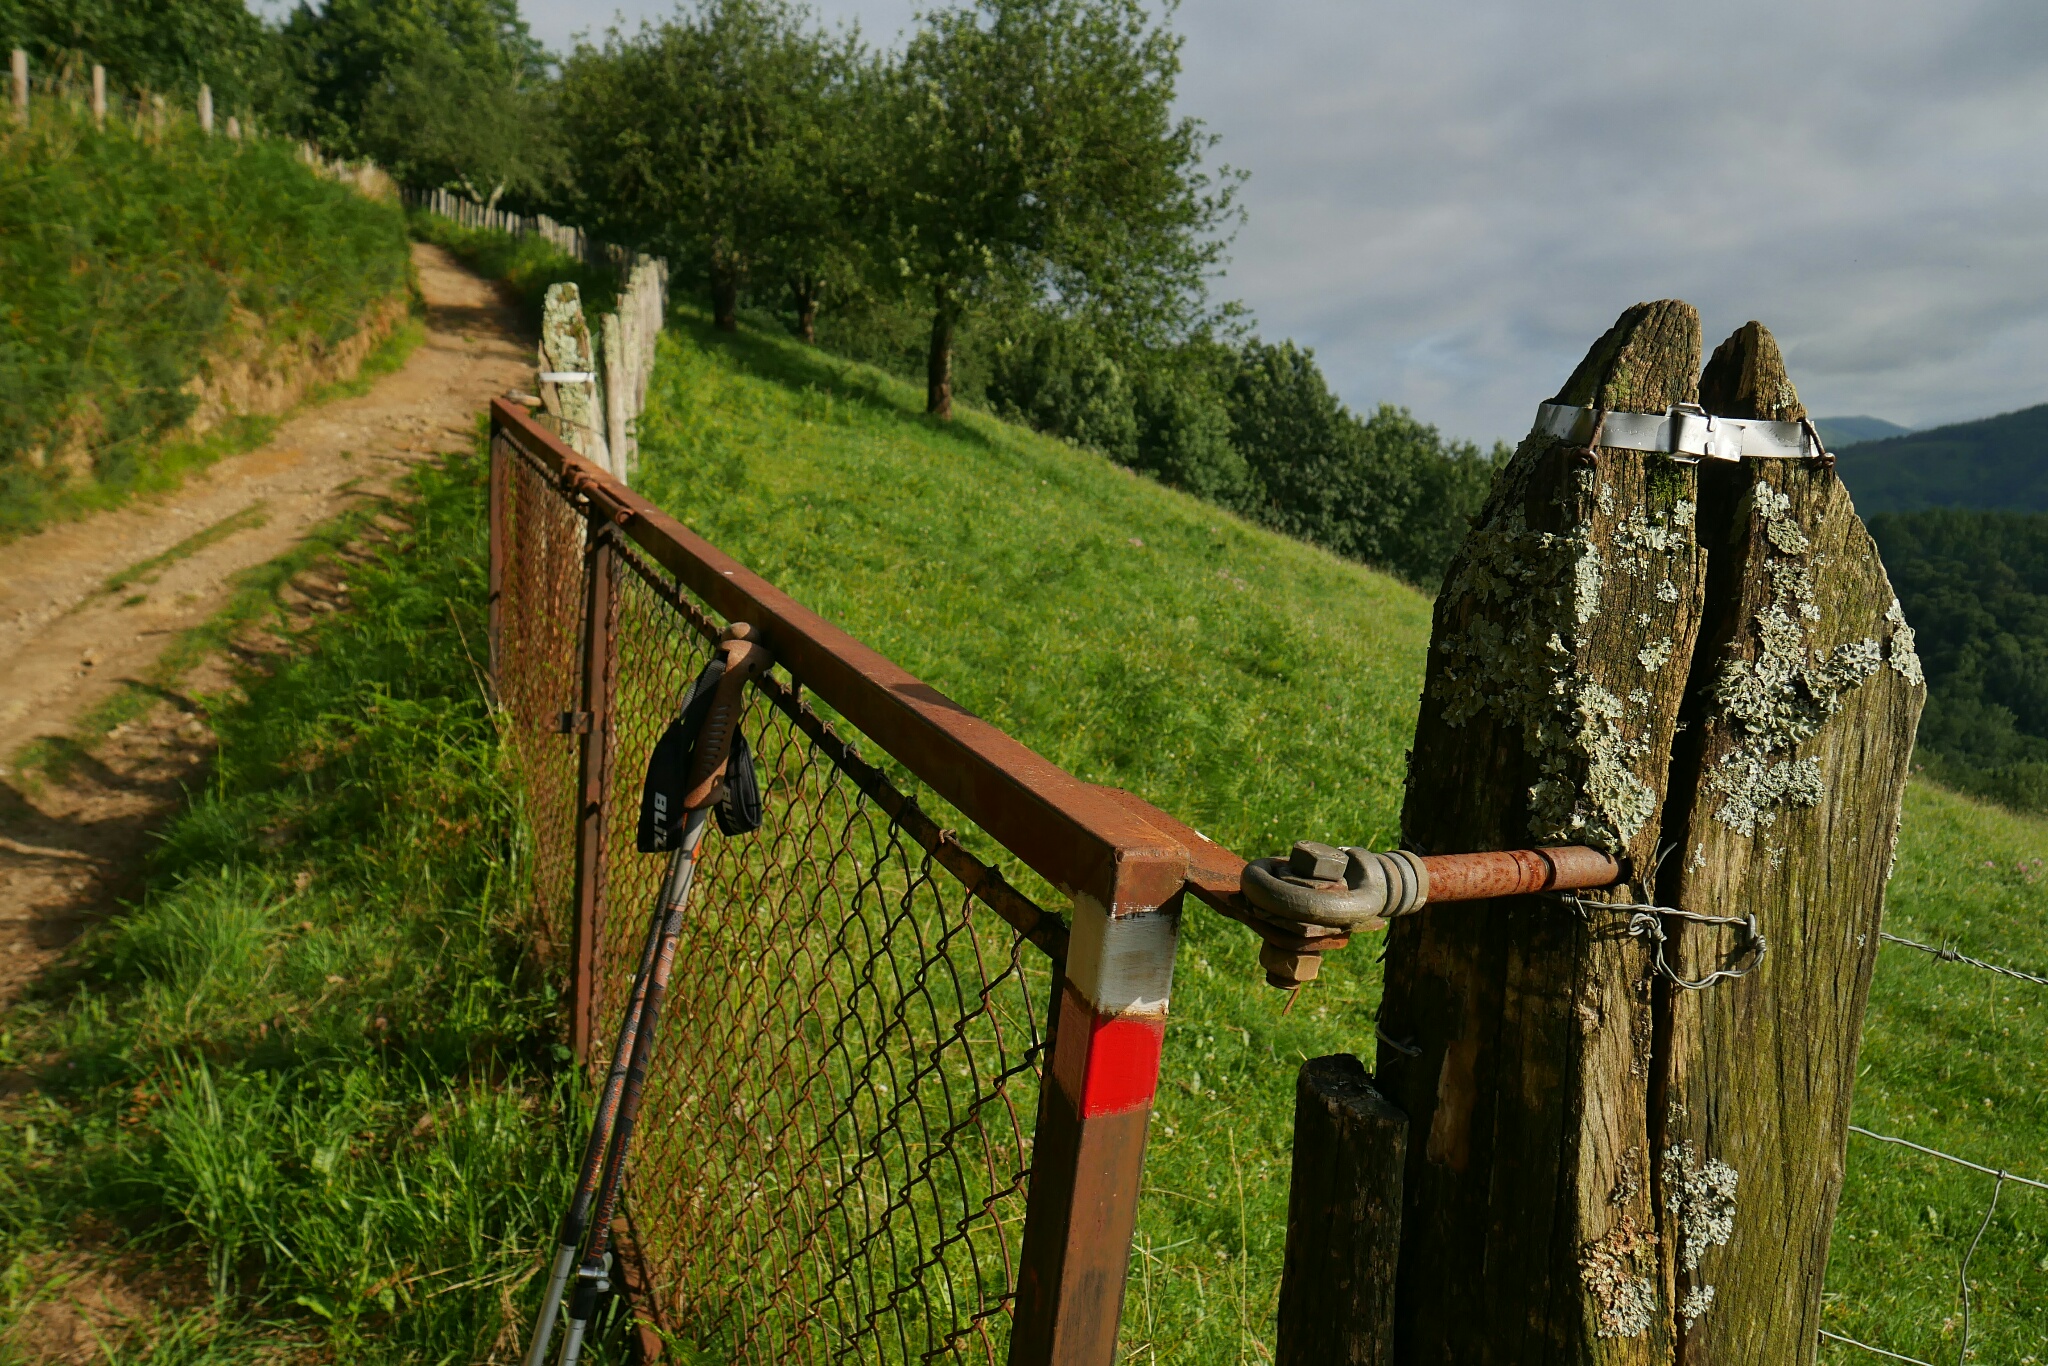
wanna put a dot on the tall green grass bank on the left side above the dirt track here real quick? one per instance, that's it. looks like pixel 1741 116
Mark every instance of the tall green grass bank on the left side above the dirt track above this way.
pixel 128 257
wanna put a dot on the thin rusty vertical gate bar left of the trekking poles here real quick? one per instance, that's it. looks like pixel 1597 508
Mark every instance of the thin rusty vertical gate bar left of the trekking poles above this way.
pixel 595 724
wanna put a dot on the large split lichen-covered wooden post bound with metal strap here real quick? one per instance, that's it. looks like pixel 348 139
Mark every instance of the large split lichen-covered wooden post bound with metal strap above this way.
pixel 1699 669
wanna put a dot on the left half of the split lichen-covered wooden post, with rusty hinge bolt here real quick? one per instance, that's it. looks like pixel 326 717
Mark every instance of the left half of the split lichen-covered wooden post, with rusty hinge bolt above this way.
pixel 1558 663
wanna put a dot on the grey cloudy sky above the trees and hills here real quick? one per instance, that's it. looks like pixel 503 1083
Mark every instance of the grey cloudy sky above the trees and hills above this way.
pixel 1451 200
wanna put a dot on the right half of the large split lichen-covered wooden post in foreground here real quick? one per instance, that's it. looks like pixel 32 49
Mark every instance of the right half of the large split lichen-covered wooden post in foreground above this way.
pixel 1785 802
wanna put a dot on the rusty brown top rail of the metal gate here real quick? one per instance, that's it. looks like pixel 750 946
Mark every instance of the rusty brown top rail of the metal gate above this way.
pixel 1066 830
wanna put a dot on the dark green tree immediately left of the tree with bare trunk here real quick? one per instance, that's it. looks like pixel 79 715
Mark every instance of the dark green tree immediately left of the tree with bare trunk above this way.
pixel 726 138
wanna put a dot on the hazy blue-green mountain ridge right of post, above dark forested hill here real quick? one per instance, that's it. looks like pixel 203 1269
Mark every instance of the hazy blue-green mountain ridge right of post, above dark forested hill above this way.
pixel 1994 464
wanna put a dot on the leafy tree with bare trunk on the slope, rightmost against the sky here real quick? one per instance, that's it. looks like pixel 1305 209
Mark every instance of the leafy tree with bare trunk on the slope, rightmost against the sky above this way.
pixel 1037 157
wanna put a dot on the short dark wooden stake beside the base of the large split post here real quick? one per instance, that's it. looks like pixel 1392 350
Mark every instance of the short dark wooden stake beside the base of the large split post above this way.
pixel 1342 1220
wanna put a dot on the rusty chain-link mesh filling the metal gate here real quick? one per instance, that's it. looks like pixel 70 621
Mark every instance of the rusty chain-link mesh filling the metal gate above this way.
pixel 837 1136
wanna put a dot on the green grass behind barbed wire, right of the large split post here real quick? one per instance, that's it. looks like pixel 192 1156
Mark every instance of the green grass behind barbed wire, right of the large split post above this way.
pixel 1955 1060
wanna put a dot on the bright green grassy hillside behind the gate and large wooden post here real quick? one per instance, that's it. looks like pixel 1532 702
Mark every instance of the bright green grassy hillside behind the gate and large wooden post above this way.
pixel 1267 691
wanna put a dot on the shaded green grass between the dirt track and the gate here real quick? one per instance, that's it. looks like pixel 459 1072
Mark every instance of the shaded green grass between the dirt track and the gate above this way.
pixel 314 1068
